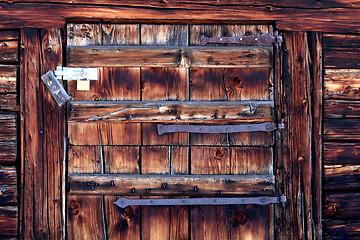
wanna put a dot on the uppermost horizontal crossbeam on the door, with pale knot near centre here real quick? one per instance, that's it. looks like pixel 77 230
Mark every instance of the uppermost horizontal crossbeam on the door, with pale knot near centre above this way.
pixel 168 56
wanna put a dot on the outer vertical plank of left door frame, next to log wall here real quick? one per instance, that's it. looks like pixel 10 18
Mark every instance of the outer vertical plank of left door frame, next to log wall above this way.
pixel 33 200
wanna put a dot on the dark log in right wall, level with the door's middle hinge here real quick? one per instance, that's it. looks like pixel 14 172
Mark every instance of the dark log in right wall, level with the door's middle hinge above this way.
pixel 341 129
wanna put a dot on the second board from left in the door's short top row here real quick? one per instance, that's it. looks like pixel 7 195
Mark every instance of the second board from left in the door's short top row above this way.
pixel 120 34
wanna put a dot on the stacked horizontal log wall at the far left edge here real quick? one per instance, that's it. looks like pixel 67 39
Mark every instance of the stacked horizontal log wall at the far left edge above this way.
pixel 9 63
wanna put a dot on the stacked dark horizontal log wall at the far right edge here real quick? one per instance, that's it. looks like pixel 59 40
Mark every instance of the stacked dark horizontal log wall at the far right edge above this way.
pixel 342 136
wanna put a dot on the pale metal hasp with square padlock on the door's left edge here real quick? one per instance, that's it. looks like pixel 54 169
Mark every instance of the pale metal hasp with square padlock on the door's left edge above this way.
pixel 82 75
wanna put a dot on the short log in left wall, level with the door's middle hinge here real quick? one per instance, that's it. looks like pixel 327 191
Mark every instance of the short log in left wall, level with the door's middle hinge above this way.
pixel 7 127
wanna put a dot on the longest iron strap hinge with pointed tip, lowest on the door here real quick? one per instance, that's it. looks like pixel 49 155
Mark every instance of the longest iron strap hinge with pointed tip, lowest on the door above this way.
pixel 124 202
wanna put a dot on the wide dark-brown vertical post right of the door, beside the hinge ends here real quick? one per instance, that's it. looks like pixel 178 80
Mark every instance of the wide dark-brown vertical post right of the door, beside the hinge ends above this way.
pixel 294 167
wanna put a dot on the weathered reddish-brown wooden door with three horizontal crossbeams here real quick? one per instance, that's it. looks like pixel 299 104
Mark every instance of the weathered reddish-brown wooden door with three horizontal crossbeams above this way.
pixel 159 73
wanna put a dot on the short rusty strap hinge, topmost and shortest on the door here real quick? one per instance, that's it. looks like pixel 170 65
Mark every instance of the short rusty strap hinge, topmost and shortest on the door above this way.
pixel 265 39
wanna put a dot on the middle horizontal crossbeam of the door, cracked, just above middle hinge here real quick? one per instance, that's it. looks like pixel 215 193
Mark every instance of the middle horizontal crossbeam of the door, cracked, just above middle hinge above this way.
pixel 176 111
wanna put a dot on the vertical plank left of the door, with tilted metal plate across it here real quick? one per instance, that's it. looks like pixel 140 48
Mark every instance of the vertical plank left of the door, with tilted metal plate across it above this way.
pixel 54 126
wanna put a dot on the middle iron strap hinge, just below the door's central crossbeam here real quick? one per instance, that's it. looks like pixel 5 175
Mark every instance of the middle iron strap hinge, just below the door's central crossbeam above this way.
pixel 260 127
